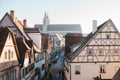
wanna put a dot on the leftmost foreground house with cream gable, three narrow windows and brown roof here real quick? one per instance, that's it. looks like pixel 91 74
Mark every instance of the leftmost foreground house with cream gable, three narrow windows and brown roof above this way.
pixel 9 56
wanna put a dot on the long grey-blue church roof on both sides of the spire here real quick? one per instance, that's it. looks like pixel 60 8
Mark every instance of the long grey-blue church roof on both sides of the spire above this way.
pixel 61 27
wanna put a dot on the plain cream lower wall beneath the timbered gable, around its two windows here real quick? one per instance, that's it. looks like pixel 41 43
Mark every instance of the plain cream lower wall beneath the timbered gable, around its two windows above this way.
pixel 90 70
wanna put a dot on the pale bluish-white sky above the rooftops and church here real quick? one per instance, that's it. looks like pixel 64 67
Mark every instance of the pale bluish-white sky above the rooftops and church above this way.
pixel 64 11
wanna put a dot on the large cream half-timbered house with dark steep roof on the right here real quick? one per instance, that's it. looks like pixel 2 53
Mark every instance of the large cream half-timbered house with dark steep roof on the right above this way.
pixel 98 56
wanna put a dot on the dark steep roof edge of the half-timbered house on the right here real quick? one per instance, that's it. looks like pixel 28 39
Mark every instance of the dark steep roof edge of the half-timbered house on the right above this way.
pixel 87 40
